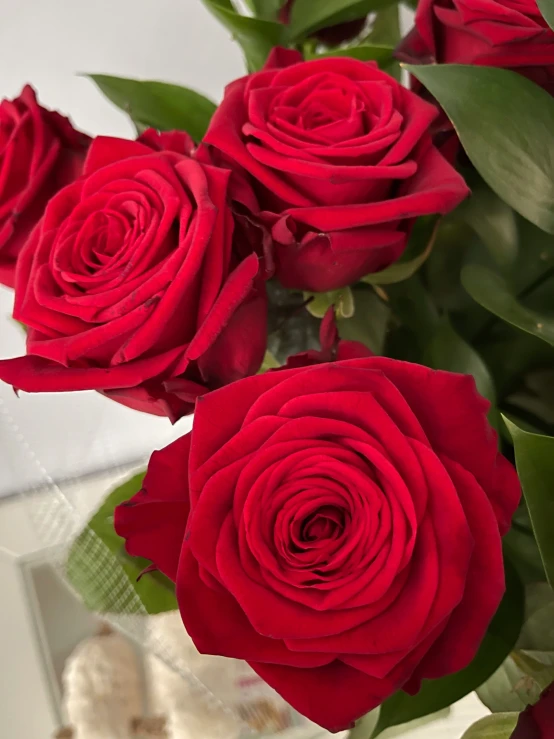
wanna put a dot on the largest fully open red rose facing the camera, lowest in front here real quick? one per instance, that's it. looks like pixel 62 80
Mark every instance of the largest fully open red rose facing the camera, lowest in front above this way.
pixel 345 518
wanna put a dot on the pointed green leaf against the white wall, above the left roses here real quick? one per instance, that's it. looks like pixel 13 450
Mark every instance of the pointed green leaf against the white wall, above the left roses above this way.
pixel 158 104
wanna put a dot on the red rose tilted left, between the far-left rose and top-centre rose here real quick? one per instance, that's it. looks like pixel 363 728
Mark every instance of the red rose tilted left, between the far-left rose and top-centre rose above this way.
pixel 130 284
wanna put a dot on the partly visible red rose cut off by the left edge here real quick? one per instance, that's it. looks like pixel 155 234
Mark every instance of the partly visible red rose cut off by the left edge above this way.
pixel 40 152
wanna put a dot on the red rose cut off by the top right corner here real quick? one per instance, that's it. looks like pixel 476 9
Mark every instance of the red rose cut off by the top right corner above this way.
pixel 509 34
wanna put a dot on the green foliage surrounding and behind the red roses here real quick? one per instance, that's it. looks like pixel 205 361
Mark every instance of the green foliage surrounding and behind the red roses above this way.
pixel 474 293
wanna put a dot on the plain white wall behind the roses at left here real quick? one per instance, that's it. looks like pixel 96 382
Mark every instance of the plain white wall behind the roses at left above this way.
pixel 48 43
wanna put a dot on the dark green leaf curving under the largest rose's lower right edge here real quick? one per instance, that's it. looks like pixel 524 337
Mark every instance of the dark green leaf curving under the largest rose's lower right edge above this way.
pixel 437 694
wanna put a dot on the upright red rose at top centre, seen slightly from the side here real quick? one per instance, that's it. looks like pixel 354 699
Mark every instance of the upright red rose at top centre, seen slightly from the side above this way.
pixel 341 161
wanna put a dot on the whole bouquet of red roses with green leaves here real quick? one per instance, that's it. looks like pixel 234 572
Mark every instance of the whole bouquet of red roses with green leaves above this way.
pixel 345 272
